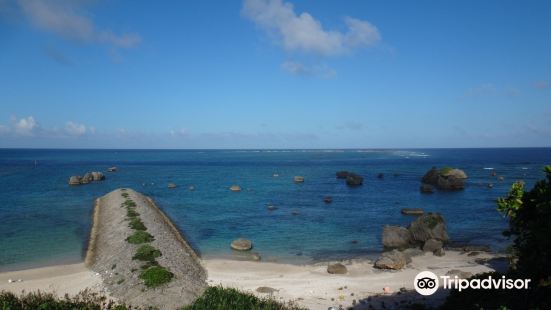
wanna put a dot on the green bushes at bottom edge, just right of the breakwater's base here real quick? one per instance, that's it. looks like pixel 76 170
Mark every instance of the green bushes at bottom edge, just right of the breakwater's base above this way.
pixel 218 297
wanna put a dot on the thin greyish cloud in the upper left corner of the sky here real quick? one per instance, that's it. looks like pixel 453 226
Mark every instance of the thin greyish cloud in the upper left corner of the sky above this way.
pixel 67 18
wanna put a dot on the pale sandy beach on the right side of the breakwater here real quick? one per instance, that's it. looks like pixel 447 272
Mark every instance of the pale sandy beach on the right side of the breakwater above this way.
pixel 311 286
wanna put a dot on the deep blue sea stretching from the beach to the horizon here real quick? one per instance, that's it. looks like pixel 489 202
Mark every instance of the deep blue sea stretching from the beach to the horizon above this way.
pixel 45 221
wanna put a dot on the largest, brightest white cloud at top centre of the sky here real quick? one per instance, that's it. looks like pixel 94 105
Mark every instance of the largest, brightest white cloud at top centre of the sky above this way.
pixel 306 34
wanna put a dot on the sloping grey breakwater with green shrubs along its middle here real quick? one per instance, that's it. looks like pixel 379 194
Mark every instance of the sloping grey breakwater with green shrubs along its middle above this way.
pixel 113 253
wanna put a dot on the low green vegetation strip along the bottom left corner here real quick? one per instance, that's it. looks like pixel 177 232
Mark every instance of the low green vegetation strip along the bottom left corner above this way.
pixel 39 300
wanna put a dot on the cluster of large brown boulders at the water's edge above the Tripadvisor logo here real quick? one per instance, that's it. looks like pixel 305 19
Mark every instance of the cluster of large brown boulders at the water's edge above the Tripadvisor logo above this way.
pixel 427 233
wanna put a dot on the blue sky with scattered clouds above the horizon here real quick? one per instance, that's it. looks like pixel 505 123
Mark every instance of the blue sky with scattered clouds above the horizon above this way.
pixel 275 74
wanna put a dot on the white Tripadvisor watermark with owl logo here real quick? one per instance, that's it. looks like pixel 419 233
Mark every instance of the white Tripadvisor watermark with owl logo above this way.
pixel 427 283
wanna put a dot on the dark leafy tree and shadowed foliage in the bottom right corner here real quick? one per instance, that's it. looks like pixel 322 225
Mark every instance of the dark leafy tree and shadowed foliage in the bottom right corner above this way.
pixel 529 214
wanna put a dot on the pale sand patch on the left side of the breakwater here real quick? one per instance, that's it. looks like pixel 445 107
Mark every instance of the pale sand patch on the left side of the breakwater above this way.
pixel 61 280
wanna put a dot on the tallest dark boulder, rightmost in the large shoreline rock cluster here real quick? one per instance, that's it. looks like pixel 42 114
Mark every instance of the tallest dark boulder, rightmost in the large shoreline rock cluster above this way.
pixel 429 226
